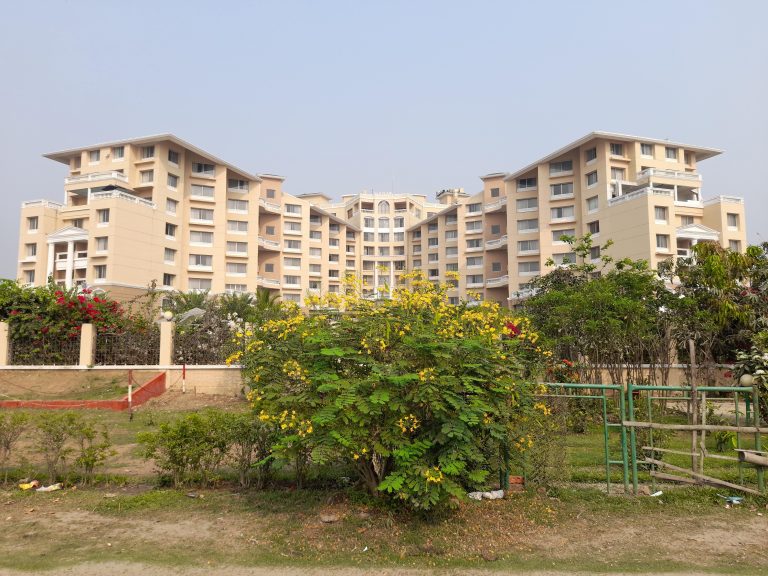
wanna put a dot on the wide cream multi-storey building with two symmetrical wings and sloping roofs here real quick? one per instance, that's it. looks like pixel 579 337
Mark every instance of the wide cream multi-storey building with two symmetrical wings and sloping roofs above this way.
pixel 159 209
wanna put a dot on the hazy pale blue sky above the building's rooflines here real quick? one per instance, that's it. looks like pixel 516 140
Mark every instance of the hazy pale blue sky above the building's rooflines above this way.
pixel 415 96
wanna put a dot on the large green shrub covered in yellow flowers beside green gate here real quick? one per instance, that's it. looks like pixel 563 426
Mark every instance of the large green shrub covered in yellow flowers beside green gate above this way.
pixel 419 395
